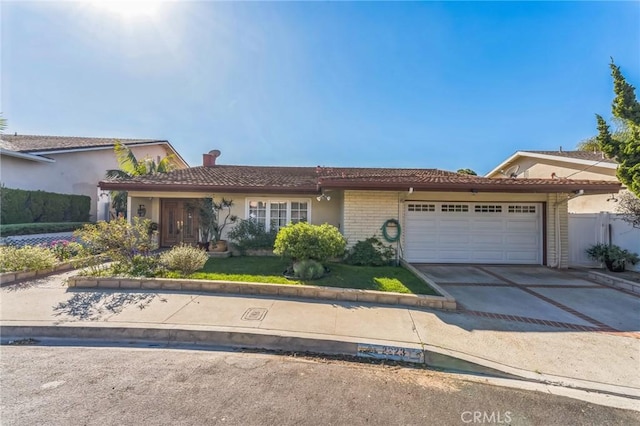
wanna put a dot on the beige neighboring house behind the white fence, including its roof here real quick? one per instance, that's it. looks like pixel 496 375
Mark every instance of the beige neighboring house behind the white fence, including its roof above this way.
pixel 565 165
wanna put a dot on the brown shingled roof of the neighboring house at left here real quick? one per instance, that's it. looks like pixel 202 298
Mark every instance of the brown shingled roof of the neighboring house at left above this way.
pixel 36 143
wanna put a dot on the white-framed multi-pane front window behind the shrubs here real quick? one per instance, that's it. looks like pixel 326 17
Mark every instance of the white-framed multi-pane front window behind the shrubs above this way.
pixel 274 214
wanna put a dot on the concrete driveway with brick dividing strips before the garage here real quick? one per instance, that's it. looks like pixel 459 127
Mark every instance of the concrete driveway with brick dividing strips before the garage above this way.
pixel 538 295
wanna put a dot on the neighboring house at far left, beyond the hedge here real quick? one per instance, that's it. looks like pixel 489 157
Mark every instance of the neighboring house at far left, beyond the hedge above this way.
pixel 71 165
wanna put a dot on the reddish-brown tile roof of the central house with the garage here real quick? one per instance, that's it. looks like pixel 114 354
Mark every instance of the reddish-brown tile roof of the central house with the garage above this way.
pixel 265 179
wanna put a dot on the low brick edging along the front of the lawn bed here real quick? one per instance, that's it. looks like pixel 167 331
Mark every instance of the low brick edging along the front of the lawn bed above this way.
pixel 282 290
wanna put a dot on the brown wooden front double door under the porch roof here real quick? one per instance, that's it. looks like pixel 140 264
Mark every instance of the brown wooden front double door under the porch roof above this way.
pixel 179 223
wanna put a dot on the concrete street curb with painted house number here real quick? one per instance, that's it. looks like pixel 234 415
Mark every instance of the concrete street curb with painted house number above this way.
pixel 234 338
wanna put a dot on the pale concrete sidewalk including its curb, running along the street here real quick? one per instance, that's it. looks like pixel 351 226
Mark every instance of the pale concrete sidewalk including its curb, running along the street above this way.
pixel 602 362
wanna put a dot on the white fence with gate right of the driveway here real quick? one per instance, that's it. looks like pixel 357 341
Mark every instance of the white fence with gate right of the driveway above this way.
pixel 593 228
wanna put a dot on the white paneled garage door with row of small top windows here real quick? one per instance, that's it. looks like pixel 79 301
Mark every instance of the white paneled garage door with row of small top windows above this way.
pixel 453 232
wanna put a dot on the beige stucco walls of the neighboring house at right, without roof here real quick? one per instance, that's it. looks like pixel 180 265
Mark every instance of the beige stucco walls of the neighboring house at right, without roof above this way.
pixel 537 167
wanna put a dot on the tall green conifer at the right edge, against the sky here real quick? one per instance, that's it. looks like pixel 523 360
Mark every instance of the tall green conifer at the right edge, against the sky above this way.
pixel 625 149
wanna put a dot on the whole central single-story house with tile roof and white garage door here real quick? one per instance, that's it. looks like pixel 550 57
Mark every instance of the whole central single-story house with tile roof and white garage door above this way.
pixel 445 217
